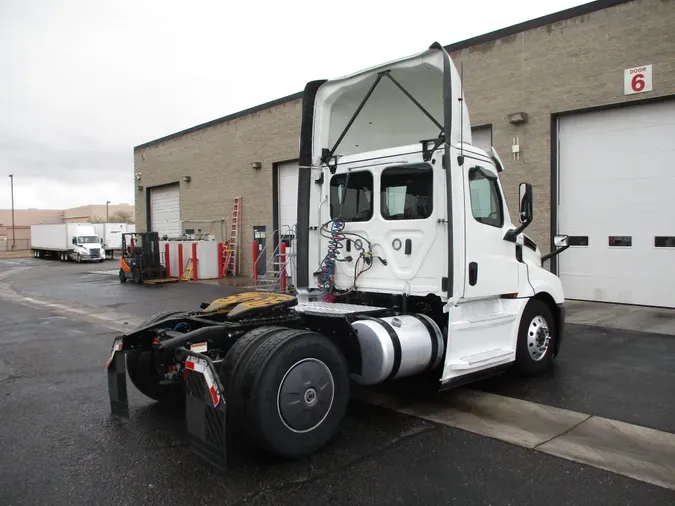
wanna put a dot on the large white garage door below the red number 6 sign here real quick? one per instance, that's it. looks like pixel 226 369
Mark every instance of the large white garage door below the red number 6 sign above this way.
pixel 617 203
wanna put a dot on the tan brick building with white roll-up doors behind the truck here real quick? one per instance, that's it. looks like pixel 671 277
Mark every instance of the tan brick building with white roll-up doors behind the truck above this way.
pixel 587 98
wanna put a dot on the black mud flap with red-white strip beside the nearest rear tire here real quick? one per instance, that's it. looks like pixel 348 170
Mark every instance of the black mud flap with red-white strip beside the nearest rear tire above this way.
pixel 205 410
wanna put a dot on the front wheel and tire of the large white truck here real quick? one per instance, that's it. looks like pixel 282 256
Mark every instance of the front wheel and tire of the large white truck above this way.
pixel 536 339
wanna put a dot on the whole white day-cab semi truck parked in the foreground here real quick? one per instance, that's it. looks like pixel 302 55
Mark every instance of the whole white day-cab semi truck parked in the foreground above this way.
pixel 410 268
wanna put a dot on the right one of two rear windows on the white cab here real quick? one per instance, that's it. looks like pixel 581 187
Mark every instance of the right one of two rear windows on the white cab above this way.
pixel 406 193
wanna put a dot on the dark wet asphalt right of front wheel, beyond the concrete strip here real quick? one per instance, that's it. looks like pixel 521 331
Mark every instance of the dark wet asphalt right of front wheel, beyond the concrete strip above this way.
pixel 619 374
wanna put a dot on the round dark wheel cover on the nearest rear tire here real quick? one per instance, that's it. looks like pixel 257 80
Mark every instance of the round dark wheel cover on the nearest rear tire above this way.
pixel 305 395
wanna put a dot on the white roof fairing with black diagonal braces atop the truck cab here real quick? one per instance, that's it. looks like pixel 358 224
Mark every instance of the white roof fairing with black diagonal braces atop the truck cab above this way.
pixel 389 118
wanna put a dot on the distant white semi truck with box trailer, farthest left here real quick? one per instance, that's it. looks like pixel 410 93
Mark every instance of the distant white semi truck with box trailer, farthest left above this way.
pixel 67 241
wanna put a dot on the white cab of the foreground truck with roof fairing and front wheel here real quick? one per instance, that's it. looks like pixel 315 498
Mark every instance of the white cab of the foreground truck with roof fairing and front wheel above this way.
pixel 397 208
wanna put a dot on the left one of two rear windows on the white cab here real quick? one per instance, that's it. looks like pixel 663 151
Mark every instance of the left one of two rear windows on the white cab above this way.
pixel 358 196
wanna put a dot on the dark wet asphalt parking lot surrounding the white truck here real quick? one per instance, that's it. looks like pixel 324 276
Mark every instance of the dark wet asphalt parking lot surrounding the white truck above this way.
pixel 60 445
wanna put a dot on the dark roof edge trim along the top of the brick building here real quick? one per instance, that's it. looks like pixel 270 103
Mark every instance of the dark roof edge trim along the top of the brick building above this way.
pixel 555 17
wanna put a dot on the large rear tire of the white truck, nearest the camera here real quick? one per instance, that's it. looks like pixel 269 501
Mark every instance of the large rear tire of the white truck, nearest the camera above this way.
pixel 292 366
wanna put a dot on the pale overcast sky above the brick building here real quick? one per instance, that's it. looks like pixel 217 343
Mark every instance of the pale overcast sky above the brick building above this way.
pixel 84 81
